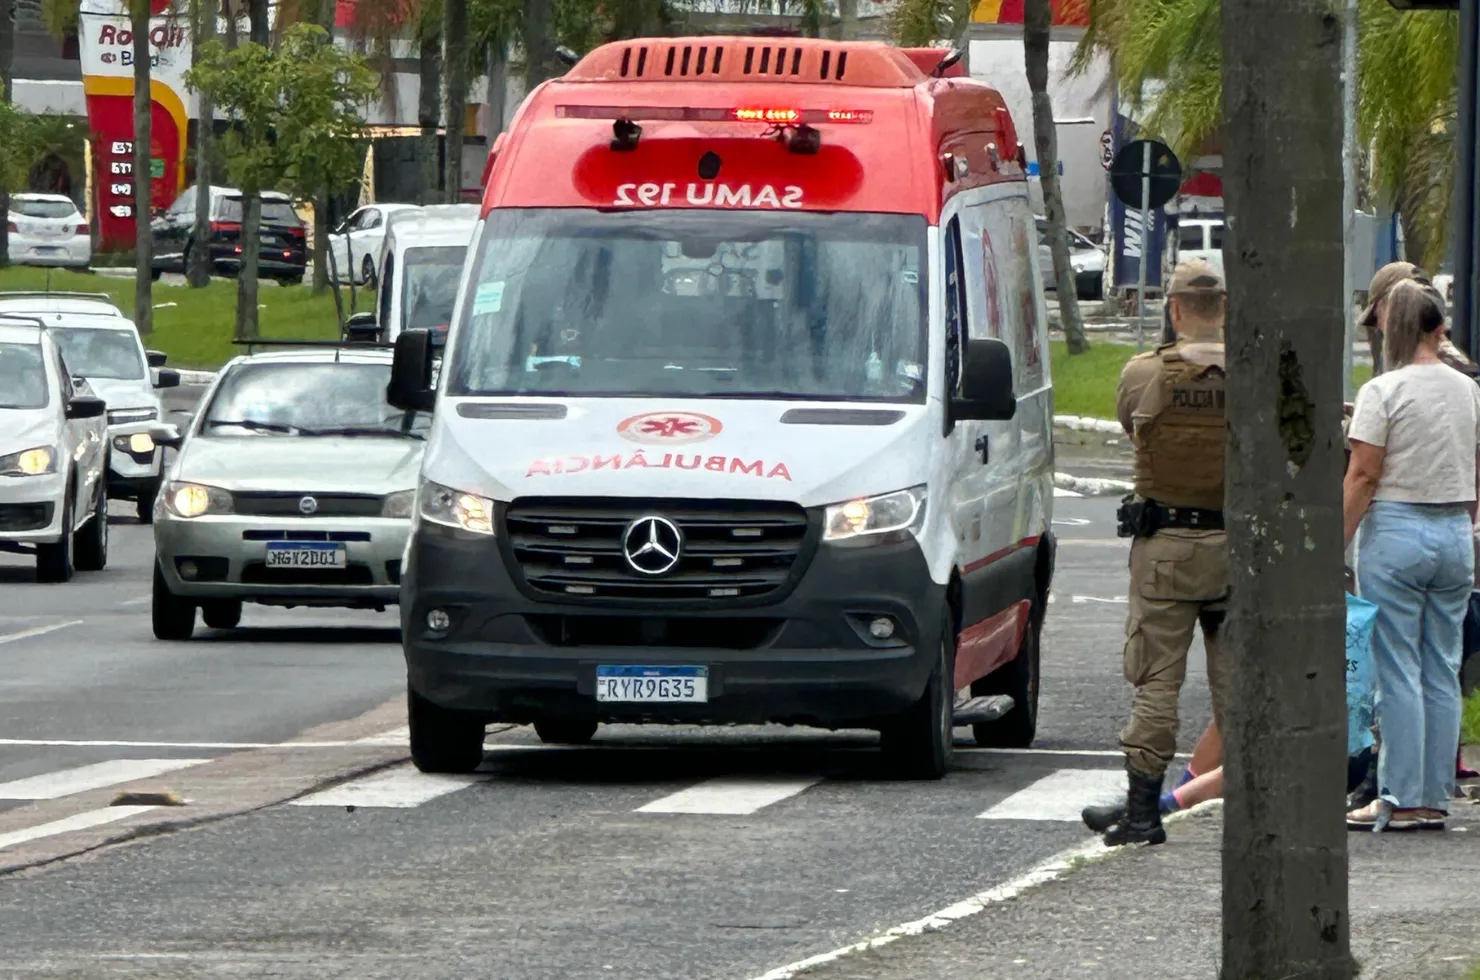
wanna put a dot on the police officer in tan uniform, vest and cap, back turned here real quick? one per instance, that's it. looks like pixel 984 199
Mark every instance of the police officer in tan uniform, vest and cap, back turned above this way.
pixel 1171 403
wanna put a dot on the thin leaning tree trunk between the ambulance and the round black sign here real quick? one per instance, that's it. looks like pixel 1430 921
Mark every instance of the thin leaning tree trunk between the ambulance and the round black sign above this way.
pixel 1038 19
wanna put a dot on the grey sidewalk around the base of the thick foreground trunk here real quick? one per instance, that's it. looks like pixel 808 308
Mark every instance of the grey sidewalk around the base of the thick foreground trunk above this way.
pixel 1154 914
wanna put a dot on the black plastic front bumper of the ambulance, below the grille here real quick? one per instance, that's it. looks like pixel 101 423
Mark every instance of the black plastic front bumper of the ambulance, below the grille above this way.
pixel 806 658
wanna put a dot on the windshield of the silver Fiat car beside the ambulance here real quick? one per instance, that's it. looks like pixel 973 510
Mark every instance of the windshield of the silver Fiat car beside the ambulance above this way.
pixel 309 399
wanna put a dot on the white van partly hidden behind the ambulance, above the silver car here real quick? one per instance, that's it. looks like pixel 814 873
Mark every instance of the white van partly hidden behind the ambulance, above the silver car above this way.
pixel 421 266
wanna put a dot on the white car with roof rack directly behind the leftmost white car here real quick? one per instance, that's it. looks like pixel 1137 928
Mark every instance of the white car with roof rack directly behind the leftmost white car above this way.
pixel 103 347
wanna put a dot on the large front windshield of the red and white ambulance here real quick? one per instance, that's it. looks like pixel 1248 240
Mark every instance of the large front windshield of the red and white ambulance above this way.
pixel 714 304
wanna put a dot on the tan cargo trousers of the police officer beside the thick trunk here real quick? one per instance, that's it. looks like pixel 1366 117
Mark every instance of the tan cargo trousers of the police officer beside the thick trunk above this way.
pixel 1179 580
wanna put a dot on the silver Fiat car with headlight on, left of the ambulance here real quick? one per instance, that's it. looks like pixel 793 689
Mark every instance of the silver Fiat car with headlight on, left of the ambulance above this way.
pixel 294 486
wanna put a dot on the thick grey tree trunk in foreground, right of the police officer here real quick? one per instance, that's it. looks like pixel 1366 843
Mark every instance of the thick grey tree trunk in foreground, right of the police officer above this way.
pixel 1285 840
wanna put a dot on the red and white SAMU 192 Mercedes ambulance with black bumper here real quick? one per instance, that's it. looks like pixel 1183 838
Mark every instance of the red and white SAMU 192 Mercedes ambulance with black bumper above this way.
pixel 745 411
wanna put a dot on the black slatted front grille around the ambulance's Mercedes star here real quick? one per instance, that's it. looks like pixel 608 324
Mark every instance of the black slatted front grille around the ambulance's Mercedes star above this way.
pixel 733 550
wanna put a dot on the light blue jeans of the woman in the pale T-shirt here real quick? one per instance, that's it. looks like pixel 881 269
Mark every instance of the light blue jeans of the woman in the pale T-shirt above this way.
pixel 1417 565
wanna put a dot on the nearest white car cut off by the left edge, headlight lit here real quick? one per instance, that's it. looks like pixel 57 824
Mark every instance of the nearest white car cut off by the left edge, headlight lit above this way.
pixel 53 446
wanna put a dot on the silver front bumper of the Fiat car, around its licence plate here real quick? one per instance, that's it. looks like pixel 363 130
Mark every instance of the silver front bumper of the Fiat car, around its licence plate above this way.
pixel 229 556
